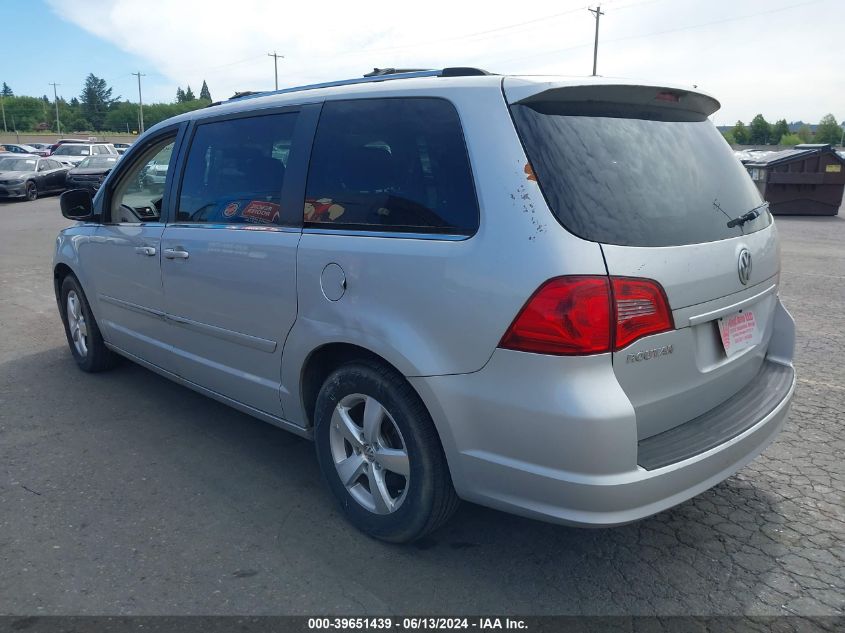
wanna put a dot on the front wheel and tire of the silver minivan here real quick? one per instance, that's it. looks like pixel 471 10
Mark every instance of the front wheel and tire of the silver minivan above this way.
pixel 83 335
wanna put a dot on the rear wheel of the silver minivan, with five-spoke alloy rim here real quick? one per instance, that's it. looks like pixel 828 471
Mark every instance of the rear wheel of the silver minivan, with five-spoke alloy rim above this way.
pixel 374 494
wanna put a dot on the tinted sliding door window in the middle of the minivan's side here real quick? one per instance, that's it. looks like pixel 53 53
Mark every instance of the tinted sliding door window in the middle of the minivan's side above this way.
pixel 235 170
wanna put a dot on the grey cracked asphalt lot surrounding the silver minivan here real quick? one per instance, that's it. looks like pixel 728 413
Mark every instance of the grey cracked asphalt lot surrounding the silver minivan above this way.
pixel 123 493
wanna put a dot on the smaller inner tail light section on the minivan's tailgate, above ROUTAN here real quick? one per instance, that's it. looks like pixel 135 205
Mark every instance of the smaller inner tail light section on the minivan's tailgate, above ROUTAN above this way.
pixel 641 309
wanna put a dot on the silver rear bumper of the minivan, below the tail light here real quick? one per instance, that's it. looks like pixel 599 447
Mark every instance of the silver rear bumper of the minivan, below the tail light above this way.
pixel 556 438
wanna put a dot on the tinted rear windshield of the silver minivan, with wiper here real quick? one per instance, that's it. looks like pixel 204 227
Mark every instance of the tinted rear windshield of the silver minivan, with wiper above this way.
pixel 635 178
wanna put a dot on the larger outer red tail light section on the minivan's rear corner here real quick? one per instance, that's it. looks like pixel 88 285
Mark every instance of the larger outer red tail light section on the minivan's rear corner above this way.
pixel 566 316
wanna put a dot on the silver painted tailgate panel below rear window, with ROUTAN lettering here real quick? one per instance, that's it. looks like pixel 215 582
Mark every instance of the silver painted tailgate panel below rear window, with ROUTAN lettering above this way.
pixel 690 372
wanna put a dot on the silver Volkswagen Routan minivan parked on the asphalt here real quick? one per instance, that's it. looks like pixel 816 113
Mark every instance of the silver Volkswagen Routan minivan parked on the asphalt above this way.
pixel 555 297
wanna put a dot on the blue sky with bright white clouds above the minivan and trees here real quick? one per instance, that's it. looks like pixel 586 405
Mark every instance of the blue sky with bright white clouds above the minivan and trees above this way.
pixel 781 58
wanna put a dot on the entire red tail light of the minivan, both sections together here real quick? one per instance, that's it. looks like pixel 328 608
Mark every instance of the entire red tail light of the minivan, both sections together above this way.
pixel 579 315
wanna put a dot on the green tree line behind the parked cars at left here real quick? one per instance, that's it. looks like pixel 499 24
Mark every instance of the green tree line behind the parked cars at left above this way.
pixel 95 109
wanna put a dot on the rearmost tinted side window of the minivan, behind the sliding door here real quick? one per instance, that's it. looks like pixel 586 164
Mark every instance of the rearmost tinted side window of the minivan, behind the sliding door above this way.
pixel 391 164
